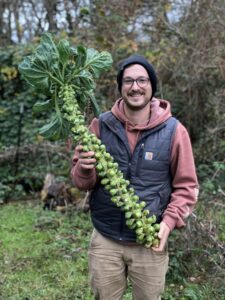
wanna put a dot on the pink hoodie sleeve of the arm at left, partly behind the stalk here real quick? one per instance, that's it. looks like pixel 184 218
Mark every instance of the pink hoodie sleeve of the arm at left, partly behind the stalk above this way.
pixel 87 180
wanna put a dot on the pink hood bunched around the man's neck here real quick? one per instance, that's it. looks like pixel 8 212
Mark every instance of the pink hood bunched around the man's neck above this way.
pixel 160 112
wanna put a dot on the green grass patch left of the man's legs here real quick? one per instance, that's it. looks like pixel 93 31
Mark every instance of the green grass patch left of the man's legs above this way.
pixel 43 255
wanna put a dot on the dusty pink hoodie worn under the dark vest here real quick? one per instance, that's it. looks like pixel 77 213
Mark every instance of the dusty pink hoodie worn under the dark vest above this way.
pixel 184 184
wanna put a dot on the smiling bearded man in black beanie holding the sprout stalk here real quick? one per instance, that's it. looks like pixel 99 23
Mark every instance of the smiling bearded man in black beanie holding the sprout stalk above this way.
pixel 154 152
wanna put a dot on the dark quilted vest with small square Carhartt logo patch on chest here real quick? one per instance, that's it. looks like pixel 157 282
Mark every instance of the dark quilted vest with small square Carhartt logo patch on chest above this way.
pixel 147 169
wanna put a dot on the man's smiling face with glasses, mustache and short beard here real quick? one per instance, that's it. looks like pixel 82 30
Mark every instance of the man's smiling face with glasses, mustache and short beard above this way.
pixel 137 95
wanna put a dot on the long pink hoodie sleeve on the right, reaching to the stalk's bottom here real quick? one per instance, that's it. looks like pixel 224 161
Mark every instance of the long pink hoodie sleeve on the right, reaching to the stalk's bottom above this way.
pixel 184 184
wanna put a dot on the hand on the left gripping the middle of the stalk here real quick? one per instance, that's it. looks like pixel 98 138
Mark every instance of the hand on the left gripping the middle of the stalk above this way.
pixel 86 159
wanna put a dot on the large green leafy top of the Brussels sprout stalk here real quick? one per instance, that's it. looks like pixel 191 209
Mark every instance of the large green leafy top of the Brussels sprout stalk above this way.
pixel 55 64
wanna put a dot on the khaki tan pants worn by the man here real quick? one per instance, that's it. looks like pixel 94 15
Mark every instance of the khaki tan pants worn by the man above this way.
pixel 110 263
